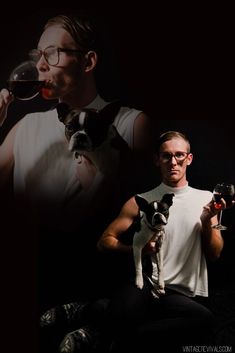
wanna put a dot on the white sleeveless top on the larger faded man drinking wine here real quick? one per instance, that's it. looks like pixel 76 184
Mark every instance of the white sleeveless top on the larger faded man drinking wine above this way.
pixel 44 168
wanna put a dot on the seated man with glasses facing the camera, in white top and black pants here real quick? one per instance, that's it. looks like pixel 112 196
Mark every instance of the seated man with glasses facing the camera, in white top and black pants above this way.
pixel 177 318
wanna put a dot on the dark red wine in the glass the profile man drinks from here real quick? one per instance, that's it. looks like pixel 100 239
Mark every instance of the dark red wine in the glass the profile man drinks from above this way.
pixel 25 89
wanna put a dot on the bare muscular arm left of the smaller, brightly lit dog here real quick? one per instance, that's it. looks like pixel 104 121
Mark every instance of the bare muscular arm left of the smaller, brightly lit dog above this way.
pixel 109 241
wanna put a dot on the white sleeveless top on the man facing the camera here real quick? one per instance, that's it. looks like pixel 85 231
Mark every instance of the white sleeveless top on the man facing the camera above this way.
pixel 184 264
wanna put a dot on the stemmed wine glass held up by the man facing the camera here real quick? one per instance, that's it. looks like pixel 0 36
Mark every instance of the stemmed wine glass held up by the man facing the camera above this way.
pixel 225 191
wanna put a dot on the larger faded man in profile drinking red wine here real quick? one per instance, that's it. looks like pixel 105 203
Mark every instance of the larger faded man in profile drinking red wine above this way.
pixel 66 60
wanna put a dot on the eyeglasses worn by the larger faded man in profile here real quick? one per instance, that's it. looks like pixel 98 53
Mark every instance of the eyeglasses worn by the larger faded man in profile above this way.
pixel 51 54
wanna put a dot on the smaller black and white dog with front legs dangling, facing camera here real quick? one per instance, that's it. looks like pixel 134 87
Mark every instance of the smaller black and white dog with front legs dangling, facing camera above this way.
pixel 154 217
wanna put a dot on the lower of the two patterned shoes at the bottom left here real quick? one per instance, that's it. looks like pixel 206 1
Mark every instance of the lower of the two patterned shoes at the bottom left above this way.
pixel 81 340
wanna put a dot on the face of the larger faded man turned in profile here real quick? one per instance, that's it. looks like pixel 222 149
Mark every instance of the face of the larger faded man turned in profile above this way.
pixel 67 76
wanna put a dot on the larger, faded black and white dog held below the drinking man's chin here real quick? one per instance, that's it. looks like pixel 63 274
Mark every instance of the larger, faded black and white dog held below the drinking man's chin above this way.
pixel 91 134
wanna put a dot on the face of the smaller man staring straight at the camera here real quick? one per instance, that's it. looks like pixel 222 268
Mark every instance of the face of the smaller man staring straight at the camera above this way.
pixel 173 160
